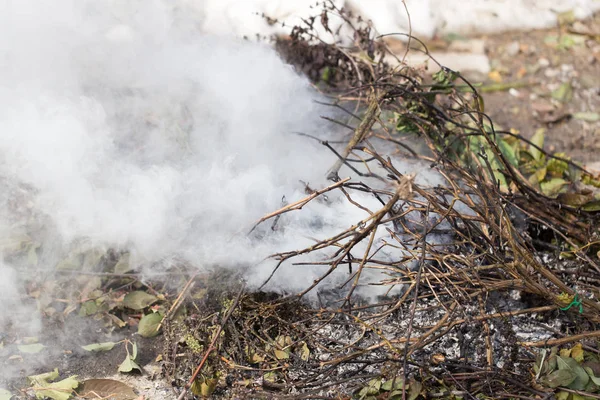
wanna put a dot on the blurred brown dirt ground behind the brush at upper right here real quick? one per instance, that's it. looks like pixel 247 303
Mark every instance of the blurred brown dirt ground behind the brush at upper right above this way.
pixel 561 70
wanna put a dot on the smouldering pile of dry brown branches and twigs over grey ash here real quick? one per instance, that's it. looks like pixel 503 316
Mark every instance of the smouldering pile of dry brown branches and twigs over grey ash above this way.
pixel 496 262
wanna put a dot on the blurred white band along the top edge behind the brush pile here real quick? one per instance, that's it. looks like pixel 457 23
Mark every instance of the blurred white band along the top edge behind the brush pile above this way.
pixel 428 16
